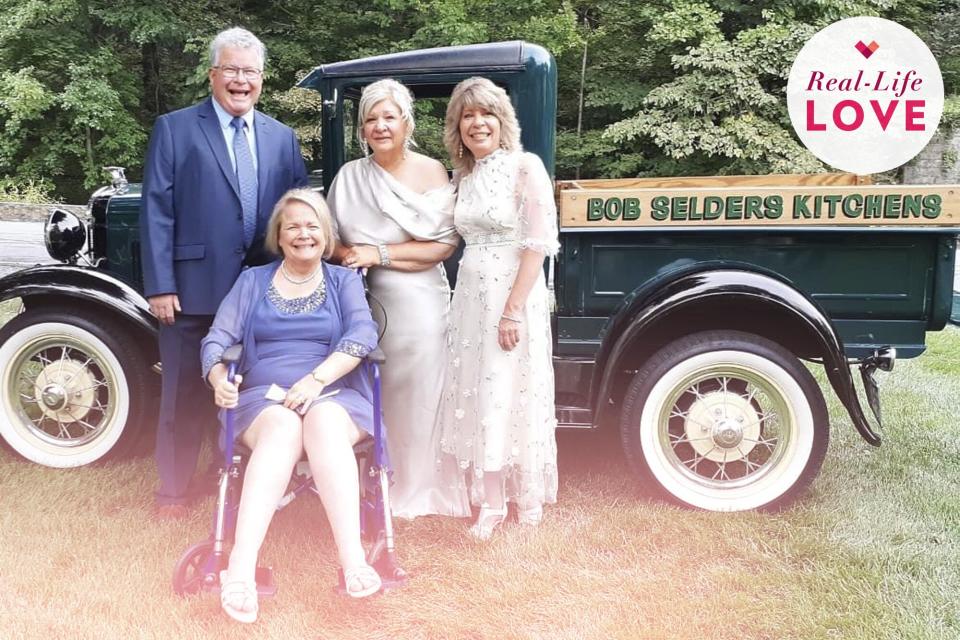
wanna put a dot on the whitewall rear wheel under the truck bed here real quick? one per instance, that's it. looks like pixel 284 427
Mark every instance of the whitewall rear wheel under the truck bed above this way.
pixel 725 421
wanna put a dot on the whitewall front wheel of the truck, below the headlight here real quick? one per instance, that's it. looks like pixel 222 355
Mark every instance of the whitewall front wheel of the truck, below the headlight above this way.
pixel 72 389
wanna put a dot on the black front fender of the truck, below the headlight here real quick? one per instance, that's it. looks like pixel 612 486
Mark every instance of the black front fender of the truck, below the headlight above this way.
pixel 59 281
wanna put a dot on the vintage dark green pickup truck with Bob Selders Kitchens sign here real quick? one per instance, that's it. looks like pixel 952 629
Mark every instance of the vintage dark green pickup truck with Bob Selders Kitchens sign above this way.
pixel 685 307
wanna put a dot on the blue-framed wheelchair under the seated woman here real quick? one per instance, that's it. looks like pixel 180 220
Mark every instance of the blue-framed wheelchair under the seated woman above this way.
pixel 198 569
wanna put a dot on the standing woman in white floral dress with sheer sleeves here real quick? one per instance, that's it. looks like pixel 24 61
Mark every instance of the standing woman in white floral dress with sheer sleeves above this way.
pixel 497 411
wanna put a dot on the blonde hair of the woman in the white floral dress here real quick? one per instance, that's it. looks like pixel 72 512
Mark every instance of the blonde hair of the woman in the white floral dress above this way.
pixel 478 92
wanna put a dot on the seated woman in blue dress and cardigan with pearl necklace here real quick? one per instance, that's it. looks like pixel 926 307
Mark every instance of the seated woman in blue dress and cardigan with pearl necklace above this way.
pixel 305 326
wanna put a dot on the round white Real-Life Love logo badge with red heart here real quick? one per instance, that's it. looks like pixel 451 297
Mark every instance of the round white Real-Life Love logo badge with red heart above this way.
pixel 865 95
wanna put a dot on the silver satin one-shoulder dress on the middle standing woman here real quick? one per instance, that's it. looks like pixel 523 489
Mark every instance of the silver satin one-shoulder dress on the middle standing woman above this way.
pixel 370 206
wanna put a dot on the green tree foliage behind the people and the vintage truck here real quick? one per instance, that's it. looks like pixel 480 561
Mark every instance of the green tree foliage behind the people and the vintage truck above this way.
pixel 668 88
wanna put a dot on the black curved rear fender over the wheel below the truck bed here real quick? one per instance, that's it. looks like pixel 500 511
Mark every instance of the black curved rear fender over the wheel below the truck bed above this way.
pixel 652 304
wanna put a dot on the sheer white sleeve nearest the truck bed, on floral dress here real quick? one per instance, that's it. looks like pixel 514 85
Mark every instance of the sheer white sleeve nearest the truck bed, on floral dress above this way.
pixel 538 210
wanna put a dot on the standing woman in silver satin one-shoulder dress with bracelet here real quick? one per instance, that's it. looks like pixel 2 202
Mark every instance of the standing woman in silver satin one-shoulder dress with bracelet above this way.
pixel 393 213
